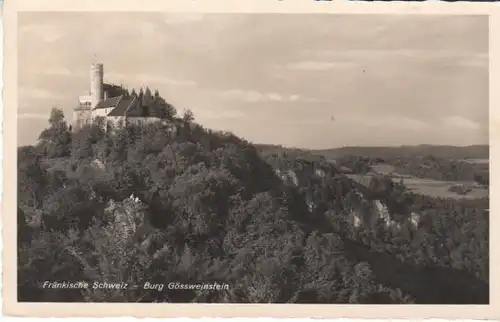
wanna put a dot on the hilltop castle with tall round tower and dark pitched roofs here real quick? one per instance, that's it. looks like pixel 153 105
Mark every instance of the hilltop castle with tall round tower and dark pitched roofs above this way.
pixel 115 104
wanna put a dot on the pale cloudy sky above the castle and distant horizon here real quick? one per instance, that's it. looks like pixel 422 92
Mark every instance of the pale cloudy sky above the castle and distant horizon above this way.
pixel 303 80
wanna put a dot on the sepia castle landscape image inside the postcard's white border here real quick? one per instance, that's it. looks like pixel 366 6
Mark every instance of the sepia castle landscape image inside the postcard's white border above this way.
pixel 169 157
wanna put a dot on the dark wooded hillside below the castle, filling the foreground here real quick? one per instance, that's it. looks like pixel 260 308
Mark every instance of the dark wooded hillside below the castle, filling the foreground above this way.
pixel 173 201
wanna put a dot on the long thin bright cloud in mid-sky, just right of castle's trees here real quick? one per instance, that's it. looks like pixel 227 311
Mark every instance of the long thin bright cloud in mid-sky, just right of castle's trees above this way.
pixel 254 96
